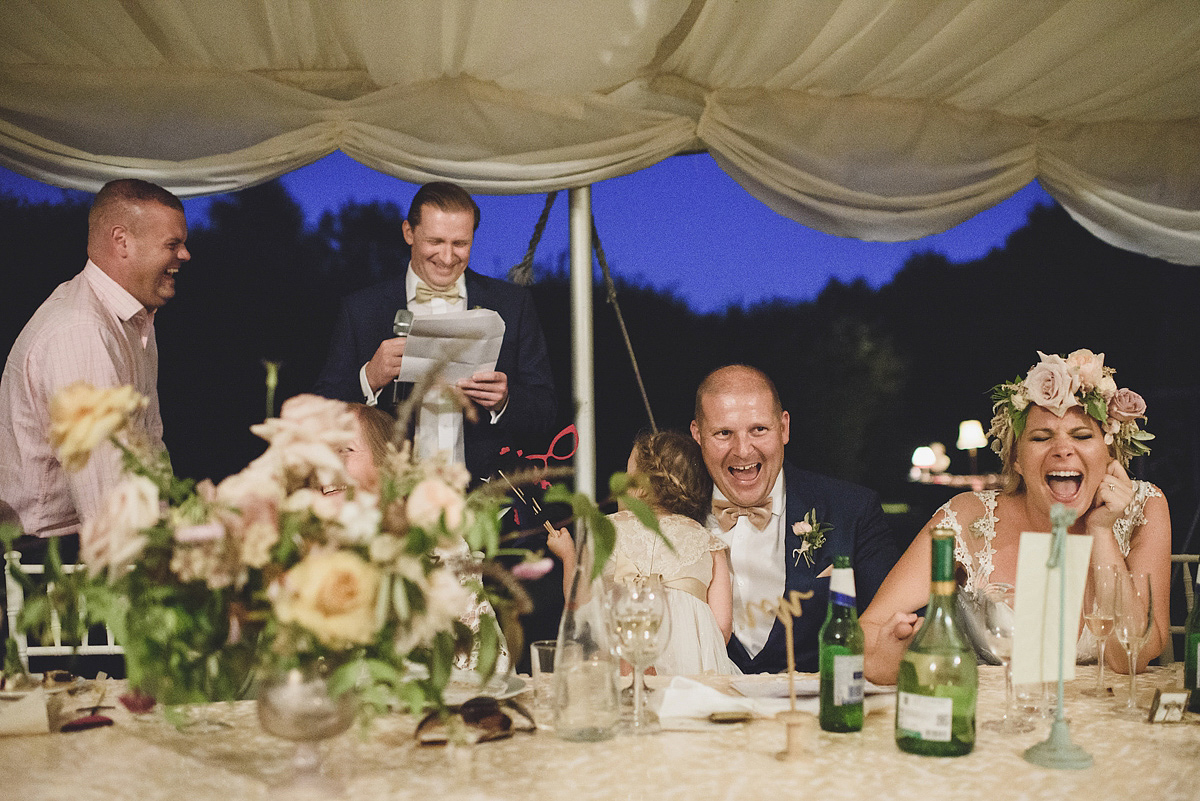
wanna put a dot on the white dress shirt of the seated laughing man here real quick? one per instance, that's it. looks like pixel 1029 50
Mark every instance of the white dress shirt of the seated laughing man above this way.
pixel 758 568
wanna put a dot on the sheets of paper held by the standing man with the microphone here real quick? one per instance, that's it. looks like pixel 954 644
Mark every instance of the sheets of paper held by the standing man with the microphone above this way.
pixel 464 344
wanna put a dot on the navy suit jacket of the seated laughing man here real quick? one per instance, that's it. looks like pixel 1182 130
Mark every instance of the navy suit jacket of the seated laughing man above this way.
pixel 860 531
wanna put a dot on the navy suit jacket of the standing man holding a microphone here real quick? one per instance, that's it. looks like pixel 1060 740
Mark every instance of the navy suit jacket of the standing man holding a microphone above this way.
pixel 365 321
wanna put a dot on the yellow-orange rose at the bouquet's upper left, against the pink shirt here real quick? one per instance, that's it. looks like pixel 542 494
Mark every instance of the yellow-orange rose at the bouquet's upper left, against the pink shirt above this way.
pixel 83 417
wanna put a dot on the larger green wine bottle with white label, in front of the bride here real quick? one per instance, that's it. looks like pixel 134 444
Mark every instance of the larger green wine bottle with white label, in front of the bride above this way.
pixel 939 677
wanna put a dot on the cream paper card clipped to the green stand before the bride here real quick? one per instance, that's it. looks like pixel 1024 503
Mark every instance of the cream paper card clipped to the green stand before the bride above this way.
pixel 1039 594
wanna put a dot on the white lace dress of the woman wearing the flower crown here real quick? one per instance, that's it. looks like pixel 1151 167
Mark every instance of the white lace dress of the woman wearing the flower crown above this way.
pixel 974 551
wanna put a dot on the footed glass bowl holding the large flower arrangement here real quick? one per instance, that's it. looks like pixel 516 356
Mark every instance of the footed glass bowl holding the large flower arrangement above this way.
pixel 296 704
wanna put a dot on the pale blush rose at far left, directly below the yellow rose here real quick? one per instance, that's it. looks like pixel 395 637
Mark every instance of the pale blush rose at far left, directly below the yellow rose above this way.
pixel 113 540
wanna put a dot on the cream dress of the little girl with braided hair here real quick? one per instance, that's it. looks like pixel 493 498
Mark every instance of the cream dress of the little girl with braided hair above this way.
pixel 697 643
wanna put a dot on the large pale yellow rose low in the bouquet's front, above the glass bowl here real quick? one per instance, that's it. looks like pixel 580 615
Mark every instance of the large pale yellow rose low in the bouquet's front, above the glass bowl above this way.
pixel 333 595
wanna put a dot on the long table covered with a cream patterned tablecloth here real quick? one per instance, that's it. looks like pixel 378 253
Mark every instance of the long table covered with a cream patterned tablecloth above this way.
pixel 151 761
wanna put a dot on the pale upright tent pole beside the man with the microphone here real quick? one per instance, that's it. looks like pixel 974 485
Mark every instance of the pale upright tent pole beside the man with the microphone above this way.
pixel 584 380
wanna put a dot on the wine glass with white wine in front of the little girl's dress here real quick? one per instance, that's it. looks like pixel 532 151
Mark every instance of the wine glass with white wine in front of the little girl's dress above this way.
pixel 641 627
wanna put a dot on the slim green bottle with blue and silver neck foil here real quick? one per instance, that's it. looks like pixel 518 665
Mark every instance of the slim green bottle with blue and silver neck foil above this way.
pixel 842 655
